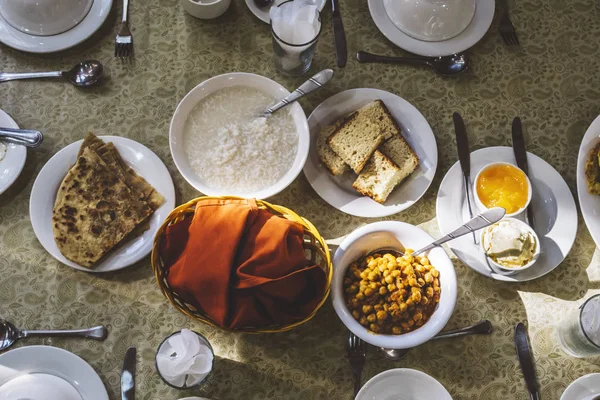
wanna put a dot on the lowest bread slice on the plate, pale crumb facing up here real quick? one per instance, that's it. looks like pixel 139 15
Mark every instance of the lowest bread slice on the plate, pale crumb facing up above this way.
pixel 378 178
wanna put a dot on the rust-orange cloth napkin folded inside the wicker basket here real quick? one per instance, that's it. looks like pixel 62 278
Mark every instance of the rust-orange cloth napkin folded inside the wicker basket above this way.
pixel 243 266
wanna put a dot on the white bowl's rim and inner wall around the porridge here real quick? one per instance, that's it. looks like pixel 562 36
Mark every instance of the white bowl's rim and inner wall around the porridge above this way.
pixel 237 79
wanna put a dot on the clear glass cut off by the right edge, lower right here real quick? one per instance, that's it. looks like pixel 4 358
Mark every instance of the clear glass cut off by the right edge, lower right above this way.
pixel 579 331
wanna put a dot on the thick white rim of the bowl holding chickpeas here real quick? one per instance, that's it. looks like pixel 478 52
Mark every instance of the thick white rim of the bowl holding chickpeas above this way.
pixel 411 339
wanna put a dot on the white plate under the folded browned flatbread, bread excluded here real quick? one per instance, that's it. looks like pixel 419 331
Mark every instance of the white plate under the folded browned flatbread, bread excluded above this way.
pixel 136 155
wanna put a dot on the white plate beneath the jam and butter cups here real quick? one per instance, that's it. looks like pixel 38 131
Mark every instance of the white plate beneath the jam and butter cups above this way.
pixel 554 211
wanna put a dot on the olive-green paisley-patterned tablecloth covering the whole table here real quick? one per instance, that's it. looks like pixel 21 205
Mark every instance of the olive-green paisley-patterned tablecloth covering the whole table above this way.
pixel 552 82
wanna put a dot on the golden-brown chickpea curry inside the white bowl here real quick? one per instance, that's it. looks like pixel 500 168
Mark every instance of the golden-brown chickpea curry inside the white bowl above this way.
pixel 392 295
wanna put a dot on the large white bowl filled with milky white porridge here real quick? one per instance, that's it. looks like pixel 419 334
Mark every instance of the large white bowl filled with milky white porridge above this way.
pixel 222 146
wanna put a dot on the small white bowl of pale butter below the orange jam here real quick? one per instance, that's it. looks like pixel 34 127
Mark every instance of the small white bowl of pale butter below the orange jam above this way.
pixel 510 245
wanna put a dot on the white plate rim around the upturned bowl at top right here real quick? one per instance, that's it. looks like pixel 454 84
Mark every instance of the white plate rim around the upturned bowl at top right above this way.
pixel 484 13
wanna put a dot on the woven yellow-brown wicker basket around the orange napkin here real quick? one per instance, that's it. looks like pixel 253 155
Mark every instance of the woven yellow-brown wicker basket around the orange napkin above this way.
pixel 315 248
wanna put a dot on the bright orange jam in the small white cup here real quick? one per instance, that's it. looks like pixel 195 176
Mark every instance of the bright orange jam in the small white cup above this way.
pixel 503 185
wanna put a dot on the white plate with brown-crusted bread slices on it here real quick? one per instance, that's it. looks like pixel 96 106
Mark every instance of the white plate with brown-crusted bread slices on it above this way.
pixel 372 153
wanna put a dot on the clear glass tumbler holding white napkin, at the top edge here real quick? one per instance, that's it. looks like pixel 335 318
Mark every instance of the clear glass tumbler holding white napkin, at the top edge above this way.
pixel 294 58
